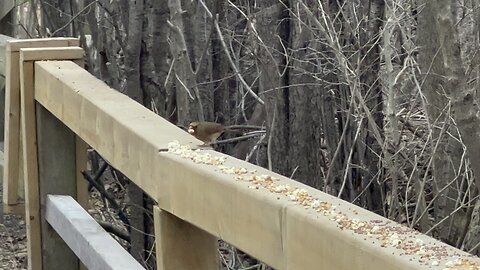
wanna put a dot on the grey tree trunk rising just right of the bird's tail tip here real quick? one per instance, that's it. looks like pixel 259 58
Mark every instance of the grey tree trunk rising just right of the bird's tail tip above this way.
pixel 273 81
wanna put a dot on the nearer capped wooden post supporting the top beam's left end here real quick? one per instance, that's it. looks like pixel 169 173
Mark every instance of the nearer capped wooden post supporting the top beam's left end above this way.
pixel 52 155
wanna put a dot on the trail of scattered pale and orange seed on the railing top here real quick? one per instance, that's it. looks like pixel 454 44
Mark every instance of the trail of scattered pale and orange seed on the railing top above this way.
pixel 396 236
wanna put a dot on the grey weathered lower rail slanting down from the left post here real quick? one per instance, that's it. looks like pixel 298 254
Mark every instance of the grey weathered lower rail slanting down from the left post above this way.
pixel 88 240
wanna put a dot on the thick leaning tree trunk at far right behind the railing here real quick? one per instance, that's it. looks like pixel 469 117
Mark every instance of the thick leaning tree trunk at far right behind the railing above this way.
pixel 447 152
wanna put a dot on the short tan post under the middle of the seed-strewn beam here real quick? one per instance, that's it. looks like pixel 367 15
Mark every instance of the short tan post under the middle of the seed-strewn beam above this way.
pixel 180 245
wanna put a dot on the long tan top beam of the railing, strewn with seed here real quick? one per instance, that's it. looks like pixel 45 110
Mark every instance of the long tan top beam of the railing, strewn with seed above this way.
pixel 280 221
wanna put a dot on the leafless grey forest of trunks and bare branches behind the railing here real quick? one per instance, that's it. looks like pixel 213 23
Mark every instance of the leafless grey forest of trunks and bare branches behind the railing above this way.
pixel 371 101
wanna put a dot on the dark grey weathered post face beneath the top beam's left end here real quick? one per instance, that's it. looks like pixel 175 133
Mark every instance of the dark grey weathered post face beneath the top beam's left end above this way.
pixel 56 175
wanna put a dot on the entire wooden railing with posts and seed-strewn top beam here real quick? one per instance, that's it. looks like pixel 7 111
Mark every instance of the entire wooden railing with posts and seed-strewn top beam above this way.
pixel 201 195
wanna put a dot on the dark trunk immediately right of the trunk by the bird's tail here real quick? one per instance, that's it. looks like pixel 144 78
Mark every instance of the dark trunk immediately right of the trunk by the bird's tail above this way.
pixel 305 99
